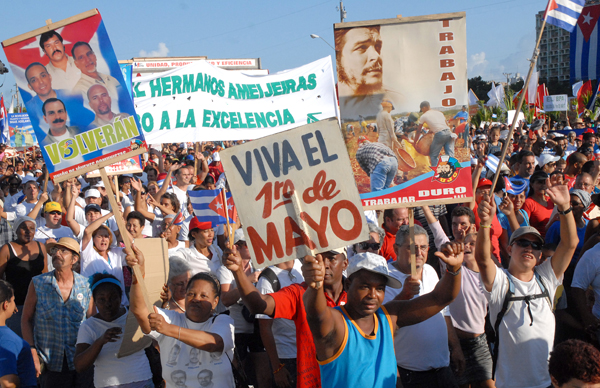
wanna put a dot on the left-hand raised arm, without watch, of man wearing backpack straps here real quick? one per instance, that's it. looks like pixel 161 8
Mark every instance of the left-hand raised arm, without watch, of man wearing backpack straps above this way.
pixel 483 246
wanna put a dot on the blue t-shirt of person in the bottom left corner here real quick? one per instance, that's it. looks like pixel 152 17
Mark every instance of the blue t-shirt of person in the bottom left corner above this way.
pixel 16 358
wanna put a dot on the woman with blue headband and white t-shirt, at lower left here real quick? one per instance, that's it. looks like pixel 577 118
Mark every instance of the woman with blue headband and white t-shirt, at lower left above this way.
pixel 100 338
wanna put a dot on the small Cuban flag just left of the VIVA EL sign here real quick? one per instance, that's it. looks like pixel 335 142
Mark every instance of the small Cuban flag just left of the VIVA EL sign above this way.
pixel 209 207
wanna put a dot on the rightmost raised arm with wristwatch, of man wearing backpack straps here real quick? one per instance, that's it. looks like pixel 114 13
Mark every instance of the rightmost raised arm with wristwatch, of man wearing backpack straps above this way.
pixel 559 194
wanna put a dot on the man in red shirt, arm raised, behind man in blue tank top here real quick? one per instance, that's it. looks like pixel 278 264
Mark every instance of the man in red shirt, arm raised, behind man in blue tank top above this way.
pixel 287 303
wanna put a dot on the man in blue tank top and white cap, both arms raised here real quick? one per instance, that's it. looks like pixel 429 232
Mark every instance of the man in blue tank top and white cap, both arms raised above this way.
pixel 363 328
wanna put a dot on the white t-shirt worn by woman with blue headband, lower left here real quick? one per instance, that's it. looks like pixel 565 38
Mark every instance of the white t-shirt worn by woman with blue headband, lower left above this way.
pixel 108 369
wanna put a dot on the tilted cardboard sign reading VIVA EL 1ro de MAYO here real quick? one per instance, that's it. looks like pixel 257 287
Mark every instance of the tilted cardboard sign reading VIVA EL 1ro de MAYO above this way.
pixel 295 193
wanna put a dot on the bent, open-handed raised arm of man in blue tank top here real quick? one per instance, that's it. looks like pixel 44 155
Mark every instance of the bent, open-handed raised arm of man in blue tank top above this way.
pixel 410 312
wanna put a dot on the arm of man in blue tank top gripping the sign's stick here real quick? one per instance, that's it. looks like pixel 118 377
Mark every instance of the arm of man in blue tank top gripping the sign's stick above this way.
pixel 326 324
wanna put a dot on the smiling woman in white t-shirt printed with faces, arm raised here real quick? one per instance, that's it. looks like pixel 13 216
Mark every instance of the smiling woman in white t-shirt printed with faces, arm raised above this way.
pixel 197 346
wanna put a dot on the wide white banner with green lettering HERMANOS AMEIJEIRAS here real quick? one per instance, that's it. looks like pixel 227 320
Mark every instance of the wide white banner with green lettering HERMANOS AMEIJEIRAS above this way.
pixel 201 102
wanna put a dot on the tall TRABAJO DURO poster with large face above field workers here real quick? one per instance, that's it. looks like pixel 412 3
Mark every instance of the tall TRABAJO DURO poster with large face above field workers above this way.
pixel 403 98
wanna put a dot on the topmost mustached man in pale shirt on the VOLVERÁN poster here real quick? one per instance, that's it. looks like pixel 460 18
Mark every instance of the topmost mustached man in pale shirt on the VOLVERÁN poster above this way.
pixel 61 67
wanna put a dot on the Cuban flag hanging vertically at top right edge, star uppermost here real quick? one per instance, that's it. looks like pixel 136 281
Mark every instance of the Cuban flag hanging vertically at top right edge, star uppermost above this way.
pixel 585 56
